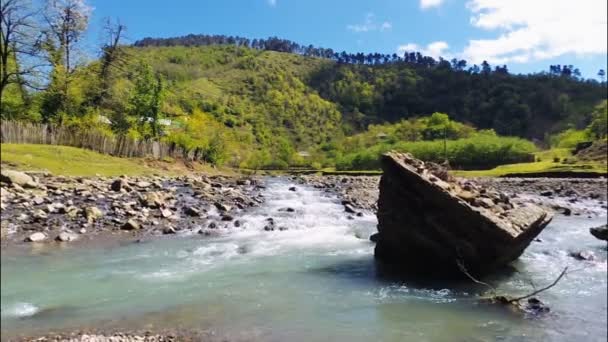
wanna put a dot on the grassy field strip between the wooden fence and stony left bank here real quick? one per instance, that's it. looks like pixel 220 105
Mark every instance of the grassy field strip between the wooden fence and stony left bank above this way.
pixel 71 161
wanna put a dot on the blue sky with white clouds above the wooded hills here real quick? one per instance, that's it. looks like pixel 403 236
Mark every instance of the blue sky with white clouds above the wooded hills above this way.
pixel 526 35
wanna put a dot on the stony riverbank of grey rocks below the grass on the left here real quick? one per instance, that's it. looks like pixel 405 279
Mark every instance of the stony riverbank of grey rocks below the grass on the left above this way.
pixel 41 208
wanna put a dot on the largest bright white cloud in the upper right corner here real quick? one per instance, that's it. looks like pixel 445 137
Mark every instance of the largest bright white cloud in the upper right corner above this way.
pixel 536 30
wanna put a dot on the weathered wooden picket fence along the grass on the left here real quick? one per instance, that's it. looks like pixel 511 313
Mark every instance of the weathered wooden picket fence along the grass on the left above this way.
pixel 17 132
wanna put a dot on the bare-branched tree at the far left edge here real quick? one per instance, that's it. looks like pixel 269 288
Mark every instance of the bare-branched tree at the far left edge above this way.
pixel 18 43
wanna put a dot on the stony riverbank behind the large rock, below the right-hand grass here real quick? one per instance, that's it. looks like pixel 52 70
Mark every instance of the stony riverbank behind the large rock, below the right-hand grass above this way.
pixel 560 194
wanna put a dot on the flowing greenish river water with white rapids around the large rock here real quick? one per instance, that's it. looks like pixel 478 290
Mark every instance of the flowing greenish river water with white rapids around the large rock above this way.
pixel 315 281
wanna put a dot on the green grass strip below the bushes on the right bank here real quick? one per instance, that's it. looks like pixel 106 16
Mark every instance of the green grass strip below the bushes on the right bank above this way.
pixel 546 164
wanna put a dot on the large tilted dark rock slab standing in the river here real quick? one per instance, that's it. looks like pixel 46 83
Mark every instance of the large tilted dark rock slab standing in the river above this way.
pixel 432 224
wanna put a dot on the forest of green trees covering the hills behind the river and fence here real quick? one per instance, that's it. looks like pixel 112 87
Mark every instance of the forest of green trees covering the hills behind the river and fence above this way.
pixel 273 103
